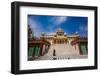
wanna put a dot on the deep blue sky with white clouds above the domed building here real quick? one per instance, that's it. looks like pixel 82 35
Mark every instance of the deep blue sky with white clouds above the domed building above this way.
pixel 49 24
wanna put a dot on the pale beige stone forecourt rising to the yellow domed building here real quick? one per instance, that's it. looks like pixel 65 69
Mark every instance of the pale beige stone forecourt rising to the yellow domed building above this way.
pixel 63 51
